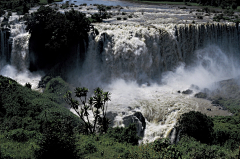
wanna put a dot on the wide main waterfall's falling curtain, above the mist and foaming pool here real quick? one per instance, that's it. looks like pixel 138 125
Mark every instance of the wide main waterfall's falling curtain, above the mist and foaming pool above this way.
pixel 143 53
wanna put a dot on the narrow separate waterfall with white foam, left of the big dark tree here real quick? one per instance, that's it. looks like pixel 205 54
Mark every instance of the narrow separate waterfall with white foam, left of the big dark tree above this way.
pixel 16 64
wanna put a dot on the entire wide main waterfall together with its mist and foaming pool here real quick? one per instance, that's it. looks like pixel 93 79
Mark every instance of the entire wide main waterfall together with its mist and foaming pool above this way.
pixel 148 65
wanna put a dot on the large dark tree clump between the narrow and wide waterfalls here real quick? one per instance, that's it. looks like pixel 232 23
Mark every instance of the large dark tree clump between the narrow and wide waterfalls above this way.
pixel 61 32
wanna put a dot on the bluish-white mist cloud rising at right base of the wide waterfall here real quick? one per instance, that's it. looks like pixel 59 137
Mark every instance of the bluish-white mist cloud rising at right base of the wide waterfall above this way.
pixel 210 65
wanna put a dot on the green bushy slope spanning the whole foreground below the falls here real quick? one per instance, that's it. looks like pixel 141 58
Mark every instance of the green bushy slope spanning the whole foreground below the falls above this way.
pixel 36 125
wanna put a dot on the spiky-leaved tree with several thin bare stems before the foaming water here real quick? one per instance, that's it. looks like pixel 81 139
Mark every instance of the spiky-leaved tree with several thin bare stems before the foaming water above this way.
pixel 97 106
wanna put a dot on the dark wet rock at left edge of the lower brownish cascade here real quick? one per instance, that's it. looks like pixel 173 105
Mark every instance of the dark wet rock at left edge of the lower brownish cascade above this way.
pixel 138 119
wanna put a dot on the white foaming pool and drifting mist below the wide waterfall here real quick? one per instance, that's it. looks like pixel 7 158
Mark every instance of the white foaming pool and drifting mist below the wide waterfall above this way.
pixel 162 105
